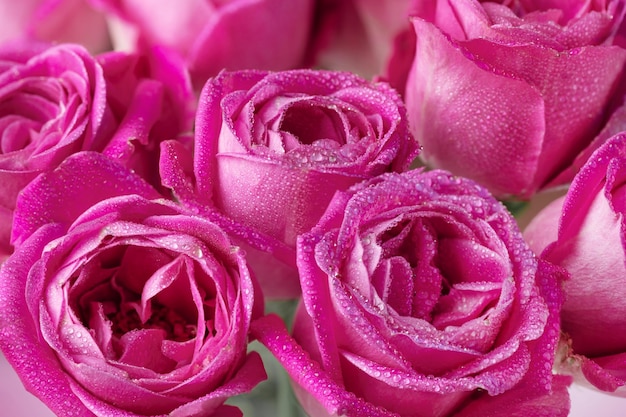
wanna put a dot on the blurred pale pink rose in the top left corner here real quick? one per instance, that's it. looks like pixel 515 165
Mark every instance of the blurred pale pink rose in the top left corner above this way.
pixel 54 21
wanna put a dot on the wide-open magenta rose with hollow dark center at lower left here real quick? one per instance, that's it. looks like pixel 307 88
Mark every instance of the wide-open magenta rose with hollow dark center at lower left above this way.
pixel 117 302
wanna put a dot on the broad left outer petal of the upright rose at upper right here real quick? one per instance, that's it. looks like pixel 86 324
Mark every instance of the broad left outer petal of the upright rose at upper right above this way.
pixel 444 102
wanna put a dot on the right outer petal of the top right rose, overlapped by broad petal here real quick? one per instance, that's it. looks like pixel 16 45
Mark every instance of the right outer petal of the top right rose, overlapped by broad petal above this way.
pixel 573 97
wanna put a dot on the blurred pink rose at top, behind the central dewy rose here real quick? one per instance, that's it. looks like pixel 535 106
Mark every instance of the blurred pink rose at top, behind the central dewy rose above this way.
pixel 214 35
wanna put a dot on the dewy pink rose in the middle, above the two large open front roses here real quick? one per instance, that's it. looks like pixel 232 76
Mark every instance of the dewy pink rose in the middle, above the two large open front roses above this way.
pixel 271 149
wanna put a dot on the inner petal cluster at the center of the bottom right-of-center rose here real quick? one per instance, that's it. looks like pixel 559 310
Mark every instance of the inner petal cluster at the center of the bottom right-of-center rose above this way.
pixel 435 272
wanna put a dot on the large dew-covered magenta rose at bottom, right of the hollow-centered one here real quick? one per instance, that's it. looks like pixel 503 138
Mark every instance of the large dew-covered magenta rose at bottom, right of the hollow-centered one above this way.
pixel 420 298
